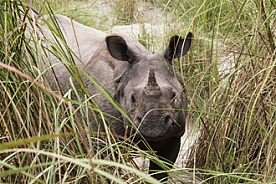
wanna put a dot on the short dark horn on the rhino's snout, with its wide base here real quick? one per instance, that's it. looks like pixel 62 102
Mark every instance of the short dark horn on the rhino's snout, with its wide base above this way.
pixel 152 88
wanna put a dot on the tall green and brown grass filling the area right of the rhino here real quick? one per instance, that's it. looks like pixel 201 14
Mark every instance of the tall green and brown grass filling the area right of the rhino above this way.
pixel 236 107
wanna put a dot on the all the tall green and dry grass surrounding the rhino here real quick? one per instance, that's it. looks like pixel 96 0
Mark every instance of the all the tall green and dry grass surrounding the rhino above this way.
pixel 43 141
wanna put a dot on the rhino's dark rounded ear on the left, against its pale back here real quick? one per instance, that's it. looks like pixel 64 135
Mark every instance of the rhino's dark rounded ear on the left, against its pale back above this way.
pixel 117 47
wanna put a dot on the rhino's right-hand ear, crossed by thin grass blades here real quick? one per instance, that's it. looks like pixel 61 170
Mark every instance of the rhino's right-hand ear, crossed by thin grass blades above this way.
pixel 178 46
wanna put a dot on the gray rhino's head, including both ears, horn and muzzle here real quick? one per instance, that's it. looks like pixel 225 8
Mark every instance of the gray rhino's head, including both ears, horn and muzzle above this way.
pixel 149 89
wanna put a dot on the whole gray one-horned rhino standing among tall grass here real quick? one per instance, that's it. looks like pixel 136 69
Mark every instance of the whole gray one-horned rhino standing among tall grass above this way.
pixel 144 84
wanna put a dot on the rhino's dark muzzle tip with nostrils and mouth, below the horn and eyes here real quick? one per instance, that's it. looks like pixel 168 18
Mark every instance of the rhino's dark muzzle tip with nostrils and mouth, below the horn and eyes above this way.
pixel 154 129
